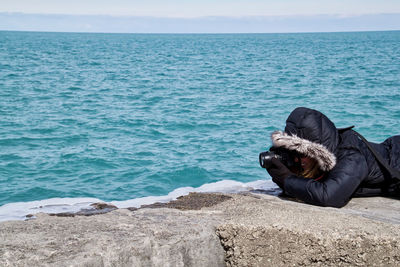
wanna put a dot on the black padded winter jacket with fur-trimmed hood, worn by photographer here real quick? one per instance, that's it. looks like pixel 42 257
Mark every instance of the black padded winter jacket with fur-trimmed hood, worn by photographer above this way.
pixel 352 169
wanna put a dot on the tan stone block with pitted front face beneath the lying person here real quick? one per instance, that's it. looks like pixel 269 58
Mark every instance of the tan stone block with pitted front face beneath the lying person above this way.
pixel 302 235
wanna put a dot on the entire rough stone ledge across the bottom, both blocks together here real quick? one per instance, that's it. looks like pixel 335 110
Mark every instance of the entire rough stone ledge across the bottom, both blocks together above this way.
pixel 242 230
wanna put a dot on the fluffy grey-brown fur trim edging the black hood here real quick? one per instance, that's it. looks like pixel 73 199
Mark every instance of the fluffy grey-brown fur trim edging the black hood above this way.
pixel 326 159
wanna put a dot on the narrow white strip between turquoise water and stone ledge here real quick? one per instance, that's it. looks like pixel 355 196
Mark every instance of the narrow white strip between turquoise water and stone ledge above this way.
pixel 19 210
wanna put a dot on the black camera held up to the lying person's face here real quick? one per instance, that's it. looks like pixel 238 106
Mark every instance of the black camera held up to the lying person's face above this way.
pixel 287 157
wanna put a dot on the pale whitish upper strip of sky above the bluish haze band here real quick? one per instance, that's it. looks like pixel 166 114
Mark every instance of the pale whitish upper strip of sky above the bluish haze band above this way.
pixel 200 8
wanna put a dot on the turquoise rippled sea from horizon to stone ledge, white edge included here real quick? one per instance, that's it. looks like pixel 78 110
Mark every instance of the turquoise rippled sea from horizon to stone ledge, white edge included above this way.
pixel 131 119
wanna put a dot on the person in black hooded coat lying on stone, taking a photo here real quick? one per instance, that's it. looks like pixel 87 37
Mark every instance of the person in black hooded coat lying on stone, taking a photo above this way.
pixel 330 165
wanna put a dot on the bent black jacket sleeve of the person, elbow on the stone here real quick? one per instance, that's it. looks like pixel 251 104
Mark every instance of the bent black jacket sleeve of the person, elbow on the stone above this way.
pixel 339 185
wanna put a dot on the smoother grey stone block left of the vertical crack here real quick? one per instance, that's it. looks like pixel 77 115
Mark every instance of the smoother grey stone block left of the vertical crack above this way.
pixel 147 237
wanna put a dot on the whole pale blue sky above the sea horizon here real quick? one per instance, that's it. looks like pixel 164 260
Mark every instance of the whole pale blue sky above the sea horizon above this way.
pixel 167 15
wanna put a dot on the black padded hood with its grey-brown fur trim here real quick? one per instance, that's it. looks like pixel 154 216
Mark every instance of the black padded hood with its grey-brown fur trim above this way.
pixel 310 133
